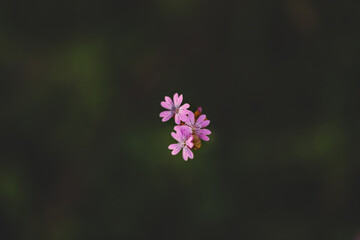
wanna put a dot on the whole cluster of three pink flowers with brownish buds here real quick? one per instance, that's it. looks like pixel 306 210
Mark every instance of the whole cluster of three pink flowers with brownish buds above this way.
pixel 190 128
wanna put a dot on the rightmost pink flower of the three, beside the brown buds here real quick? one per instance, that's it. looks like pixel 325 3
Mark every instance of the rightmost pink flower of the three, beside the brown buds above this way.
pixel 197 127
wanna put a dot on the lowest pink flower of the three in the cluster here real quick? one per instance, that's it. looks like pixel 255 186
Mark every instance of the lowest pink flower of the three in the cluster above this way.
pixel 184 138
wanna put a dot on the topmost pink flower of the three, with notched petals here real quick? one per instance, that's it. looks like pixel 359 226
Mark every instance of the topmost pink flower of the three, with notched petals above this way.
pixel 174 108
